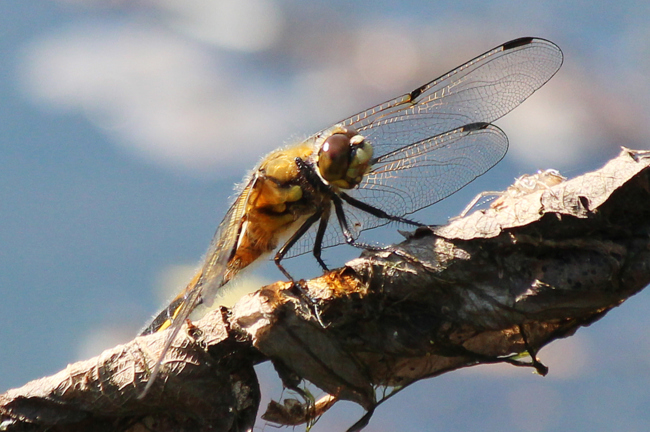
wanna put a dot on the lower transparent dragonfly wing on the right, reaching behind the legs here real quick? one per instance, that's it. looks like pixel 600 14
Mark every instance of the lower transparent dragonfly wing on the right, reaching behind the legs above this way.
pixel 415 176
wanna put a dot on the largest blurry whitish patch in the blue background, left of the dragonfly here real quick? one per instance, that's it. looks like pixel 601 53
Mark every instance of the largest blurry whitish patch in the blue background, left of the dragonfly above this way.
pixel 156 95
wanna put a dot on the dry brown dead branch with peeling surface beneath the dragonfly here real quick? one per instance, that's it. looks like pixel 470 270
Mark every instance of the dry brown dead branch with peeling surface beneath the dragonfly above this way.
pixel 500 282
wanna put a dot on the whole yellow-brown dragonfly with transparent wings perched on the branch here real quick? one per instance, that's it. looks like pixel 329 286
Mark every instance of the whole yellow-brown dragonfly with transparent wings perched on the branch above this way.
pixel 373 168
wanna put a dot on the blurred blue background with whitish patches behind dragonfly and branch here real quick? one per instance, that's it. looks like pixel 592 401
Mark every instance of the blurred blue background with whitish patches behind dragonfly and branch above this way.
pixel 125 124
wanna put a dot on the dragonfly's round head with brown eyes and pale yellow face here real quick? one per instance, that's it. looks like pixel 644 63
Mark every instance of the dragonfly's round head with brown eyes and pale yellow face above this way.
pixel 344 158
